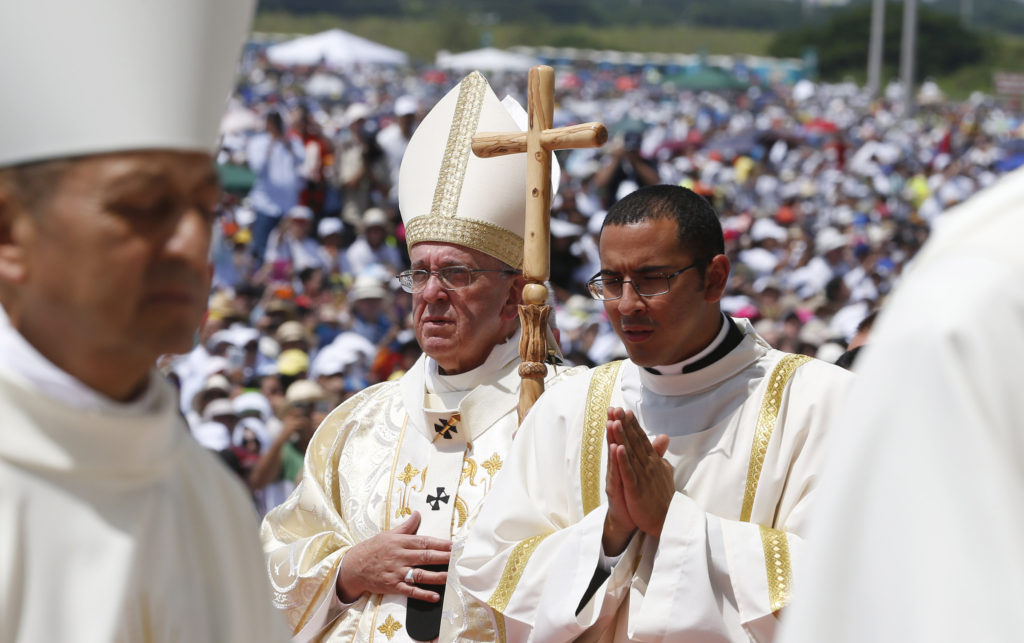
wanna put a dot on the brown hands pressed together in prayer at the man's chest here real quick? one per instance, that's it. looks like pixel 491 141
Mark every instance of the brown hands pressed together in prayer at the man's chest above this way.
pixel 639 483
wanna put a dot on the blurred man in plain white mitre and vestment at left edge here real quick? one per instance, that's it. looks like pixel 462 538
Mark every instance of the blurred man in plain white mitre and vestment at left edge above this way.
pixel 115 525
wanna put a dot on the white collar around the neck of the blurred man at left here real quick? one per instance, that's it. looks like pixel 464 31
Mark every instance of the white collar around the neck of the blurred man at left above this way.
pixel 52 381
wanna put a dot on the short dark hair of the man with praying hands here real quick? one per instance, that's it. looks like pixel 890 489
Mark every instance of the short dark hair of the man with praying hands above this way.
pixel 699 231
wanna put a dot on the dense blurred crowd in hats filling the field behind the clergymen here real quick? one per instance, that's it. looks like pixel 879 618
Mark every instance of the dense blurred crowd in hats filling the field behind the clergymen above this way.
pixel 825 195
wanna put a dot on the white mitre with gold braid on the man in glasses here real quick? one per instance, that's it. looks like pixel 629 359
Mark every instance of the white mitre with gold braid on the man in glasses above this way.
pixel 448 194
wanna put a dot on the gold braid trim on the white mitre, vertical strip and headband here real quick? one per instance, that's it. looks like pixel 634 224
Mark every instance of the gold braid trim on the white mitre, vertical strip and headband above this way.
pixel 442 225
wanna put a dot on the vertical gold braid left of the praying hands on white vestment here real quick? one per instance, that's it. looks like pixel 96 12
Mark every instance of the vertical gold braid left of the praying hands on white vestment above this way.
pixel 595 419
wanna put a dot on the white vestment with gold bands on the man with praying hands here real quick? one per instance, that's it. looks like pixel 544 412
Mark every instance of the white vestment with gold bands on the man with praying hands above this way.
pixel 714 574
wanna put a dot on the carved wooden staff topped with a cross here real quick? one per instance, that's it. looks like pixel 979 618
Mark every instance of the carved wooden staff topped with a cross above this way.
pixel 538 142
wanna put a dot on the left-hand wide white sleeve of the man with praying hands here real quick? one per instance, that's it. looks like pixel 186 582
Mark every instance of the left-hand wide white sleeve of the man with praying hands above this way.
pixel 533 553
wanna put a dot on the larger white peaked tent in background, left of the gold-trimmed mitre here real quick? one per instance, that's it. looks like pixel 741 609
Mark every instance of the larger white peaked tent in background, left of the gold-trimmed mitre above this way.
pixel 337 49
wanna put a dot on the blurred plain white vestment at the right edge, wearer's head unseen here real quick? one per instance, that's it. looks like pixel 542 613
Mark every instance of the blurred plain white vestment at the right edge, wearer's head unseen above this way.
pixel 919 533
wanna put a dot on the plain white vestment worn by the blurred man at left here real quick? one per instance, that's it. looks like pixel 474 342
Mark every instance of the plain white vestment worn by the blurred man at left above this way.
pixel 115 526
